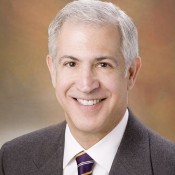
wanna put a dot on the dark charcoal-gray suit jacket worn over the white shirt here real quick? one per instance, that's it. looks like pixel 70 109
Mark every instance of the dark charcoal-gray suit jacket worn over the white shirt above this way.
pixel 141 152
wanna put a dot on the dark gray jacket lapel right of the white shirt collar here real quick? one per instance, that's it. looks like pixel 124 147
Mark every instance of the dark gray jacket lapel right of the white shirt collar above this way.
pixel 133 156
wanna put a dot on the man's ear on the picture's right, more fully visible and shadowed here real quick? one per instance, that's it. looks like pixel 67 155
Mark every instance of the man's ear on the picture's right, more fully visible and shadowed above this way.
pixel 133 72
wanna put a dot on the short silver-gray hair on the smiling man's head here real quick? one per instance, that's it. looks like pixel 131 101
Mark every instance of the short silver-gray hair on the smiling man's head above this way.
pixel 98 13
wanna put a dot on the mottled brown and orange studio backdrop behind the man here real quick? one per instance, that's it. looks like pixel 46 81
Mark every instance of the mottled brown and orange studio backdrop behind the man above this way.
pixel 27 99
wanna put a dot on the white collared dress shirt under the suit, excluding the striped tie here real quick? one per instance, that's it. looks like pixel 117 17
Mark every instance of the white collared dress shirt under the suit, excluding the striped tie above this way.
pixel 102 152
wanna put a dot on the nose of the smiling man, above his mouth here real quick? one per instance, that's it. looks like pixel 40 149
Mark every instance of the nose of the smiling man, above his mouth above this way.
pixel 87 81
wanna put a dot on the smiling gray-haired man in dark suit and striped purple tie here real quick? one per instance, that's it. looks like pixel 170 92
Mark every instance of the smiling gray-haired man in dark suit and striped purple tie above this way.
pixel 93 61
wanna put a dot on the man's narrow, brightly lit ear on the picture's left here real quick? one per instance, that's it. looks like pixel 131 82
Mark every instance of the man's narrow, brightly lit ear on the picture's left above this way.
pixel 52 69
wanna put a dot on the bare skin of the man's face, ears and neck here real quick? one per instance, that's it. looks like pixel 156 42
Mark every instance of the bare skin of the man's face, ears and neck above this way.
pixel 89 79
